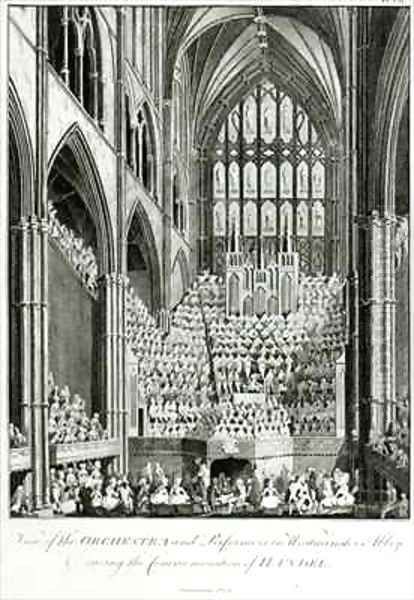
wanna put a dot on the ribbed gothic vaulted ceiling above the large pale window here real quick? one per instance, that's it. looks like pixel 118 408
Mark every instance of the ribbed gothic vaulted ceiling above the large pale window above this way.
pixel 225 57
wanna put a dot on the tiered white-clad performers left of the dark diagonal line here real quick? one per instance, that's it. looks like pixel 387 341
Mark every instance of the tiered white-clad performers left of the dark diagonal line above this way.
pixel 173 367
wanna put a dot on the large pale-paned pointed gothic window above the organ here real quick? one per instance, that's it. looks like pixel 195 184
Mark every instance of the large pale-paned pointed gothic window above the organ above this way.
pixel 268 162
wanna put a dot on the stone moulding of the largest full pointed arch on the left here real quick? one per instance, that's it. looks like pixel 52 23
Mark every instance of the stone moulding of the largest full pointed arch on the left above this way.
pixel 90 188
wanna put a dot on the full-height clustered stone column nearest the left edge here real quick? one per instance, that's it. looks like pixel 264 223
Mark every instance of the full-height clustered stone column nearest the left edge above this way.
pixel 36 287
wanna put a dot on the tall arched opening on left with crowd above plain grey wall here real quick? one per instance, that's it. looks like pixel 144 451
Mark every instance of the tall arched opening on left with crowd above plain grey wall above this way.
pixel 72 281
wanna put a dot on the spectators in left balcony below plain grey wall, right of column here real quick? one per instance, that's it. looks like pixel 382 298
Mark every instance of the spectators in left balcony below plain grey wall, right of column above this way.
pixel 68 419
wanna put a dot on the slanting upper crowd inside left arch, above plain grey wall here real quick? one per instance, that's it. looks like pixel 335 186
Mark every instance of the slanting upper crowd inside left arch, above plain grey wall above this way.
pixel 80 256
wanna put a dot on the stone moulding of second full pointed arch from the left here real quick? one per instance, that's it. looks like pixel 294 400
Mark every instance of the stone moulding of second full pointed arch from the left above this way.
pixel 151 254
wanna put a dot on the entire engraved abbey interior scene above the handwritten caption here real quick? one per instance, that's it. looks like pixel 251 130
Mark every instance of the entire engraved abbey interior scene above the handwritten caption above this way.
pixel 208 261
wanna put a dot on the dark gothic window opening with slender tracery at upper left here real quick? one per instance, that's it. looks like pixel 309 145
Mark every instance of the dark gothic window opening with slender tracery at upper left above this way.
pixel 74 52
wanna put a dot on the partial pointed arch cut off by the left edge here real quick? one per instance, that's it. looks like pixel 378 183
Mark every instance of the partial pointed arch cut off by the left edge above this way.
pixel 20 159
